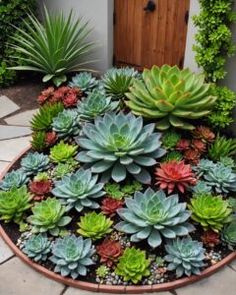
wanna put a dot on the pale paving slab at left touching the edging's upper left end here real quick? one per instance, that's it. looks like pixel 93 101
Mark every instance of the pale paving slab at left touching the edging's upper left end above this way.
pixel 9 149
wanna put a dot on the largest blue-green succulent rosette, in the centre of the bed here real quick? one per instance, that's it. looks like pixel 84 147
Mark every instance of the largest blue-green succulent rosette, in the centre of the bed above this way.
pixel 118 143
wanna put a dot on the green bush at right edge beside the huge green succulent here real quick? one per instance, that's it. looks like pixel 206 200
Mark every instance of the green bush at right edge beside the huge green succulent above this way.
pixel 221 116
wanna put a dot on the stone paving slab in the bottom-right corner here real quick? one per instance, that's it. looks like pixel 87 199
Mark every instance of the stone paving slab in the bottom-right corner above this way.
pixel 222 282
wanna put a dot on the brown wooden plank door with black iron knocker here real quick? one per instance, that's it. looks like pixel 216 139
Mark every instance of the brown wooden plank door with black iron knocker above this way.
pixel 143 38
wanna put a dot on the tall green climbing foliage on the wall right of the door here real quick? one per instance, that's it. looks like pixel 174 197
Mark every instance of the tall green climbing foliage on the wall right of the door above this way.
pixel 214 37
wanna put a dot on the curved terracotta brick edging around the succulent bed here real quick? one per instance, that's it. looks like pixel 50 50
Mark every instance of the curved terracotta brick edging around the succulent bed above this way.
pixel 107 288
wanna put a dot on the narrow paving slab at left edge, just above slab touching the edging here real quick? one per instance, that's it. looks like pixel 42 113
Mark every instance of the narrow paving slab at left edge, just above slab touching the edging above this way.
pixel 7 132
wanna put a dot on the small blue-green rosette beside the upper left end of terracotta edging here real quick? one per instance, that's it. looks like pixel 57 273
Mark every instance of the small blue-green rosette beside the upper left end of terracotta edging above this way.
pixel 34 163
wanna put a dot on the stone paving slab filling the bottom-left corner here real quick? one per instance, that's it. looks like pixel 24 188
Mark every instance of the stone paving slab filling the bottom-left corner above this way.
pixel 18 279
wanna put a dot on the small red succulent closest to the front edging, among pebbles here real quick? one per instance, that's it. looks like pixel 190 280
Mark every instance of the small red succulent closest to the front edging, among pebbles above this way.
pixel 109 251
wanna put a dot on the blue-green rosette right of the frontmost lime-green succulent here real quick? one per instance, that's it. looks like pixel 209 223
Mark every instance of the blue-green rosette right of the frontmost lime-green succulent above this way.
pixel 185 256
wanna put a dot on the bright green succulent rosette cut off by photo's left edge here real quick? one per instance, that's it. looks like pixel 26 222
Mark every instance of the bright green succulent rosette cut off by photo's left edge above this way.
pixel 14 203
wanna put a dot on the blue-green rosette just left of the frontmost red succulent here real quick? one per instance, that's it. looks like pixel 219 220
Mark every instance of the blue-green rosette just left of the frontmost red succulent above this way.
pixel 72 256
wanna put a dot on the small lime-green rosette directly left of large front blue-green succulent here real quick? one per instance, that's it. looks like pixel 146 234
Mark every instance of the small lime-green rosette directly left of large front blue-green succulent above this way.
pixel 94 225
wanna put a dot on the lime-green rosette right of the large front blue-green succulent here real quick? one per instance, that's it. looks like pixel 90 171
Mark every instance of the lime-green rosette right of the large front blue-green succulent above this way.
pixel 210 211
